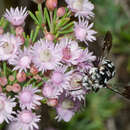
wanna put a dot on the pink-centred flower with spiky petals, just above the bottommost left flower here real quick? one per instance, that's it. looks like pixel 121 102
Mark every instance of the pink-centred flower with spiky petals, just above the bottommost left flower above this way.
pixel 28 98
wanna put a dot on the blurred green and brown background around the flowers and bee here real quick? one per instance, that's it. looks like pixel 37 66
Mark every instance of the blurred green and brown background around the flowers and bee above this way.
pixel 104 110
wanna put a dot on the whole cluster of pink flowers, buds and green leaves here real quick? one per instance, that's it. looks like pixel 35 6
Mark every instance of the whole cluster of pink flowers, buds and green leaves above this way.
pixel 46 70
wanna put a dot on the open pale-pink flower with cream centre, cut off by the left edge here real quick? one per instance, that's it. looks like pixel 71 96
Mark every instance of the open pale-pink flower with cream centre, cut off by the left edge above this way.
pixel 9 45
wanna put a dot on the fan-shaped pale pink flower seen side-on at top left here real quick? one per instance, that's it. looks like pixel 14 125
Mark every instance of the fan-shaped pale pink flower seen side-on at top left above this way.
pixel 16 16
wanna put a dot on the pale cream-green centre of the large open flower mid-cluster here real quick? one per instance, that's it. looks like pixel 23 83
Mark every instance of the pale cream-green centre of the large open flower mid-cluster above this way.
pixel 45 56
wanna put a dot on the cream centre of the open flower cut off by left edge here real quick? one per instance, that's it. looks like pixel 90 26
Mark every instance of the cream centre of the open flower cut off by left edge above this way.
pixel 8 48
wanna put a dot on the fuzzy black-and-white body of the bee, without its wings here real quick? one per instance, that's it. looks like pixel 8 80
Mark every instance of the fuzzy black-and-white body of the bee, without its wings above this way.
pixel 98 77
